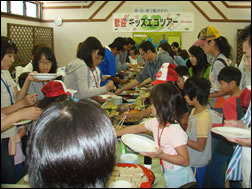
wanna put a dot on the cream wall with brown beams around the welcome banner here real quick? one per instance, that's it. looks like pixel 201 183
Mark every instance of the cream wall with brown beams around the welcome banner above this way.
pixel 69 34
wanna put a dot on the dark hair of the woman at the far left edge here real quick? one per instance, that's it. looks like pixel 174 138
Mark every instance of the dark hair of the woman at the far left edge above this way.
pixel 7 46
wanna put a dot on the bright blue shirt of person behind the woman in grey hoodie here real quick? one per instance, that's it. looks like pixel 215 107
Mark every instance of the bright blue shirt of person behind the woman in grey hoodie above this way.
pixel 108 65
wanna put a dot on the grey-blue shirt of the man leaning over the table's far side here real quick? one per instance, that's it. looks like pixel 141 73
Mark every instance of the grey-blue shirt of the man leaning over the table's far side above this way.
pixel 150 68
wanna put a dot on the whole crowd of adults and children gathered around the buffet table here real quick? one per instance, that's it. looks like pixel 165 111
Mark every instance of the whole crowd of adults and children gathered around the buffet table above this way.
pixel 72 142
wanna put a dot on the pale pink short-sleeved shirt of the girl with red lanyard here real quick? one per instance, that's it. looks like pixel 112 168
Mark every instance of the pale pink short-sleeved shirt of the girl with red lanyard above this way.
pixel 173 136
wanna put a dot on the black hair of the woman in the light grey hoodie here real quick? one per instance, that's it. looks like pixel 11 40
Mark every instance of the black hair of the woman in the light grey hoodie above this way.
pixel 88 46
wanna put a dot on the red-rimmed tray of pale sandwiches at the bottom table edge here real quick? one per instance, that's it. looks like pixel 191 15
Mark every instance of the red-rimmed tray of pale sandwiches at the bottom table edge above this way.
pixel 133 173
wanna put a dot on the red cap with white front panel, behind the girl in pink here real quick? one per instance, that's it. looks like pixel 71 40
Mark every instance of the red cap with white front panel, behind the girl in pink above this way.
pixel 165 74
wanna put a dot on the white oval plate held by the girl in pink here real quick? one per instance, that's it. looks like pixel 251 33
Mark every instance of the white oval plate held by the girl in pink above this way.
pixel 139 143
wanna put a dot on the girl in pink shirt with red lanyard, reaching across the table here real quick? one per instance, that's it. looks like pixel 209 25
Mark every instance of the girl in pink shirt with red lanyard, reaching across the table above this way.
pixel 166 102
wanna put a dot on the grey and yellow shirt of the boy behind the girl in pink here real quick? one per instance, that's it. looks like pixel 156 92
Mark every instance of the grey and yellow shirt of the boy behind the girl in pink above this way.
pixel 199 126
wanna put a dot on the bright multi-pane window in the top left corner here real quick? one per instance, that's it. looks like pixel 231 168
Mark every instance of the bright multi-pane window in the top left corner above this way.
pixel 23 8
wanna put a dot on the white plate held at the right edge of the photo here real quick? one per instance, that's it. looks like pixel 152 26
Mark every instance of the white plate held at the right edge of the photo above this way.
pixel 232 132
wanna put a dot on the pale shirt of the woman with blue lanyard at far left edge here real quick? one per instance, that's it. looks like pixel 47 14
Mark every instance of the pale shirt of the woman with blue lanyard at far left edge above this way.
pixel 5 98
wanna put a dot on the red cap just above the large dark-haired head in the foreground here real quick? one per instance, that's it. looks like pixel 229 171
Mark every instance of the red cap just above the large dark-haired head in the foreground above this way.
pixel 54 88
